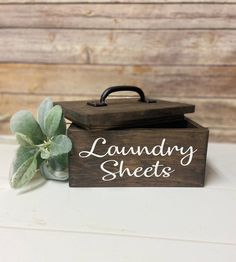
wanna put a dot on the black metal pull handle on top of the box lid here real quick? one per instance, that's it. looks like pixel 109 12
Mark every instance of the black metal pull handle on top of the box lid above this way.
pixel 108 91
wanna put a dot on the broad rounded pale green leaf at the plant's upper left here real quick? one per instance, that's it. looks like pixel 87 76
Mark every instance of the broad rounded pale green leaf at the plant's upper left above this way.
pixel 23 122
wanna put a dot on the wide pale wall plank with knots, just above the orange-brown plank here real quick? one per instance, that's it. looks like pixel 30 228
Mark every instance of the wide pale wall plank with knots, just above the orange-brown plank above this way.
pixel 164 47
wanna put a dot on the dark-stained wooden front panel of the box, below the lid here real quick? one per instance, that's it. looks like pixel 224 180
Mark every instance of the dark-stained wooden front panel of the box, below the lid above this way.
pixel 93 171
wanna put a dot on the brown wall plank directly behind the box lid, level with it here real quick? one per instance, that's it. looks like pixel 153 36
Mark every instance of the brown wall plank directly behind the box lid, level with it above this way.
pixel 213 113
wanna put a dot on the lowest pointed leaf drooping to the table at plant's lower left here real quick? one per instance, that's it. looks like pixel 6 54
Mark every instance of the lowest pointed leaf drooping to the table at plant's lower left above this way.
pixel 24 173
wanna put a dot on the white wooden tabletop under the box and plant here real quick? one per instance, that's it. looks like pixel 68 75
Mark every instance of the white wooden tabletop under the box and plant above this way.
pixel 52 222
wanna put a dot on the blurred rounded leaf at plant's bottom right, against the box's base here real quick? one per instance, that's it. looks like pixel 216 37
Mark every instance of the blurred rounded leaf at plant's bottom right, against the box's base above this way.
pixel 53 171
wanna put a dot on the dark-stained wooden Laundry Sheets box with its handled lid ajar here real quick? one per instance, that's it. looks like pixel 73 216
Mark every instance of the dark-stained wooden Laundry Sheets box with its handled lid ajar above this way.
pixel 131 142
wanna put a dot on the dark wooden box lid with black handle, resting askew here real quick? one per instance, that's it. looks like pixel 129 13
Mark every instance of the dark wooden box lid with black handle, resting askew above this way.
pixel 123 113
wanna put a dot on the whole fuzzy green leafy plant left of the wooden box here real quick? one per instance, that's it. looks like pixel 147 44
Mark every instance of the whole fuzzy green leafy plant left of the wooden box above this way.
pixel 44 145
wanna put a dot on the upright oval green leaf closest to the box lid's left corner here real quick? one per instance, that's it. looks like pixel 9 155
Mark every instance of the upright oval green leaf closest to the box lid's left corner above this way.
pixel 52 121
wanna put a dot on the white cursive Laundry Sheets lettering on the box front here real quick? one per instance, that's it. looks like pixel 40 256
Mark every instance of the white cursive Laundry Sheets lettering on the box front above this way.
pixel 157 170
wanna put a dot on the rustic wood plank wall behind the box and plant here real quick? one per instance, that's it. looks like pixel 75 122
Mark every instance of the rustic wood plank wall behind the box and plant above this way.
pixel 174 49
